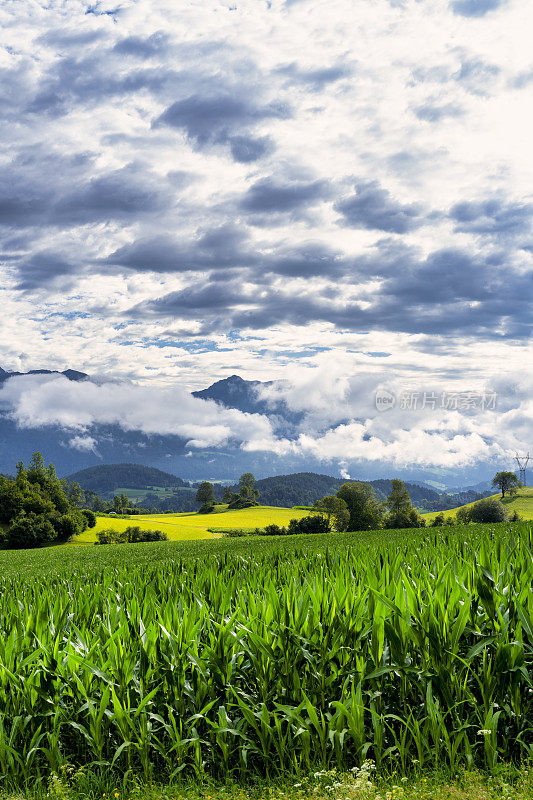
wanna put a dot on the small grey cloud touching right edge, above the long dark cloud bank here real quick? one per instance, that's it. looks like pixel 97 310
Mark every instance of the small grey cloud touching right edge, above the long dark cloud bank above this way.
pixel 493 217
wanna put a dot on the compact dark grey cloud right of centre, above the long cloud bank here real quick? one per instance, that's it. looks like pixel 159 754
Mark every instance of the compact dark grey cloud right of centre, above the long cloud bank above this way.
pixel 373 208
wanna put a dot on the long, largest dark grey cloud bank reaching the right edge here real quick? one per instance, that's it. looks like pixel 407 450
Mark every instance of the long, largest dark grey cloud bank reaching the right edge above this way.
pixel 447 293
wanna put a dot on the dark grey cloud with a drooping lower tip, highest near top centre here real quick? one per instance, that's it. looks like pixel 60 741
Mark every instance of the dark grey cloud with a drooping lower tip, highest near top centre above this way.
pixel 222 119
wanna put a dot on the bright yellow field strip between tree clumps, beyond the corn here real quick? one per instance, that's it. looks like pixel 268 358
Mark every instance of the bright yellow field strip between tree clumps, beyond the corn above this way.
pixel 196 526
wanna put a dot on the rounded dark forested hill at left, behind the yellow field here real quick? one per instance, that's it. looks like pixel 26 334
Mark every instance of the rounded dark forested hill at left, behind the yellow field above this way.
pixel 108 477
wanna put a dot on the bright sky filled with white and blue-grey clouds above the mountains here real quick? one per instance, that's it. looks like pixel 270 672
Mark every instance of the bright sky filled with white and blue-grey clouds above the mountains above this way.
pixel 334 195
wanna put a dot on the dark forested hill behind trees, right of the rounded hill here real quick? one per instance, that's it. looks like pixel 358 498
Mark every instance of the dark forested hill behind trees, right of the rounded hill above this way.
pixel 303 488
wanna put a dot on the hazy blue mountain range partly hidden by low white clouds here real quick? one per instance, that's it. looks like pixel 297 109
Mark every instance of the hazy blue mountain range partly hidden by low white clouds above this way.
pixel 103 444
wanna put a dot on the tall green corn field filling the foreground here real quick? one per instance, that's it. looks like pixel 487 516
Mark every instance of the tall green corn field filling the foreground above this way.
pixel 268 658
